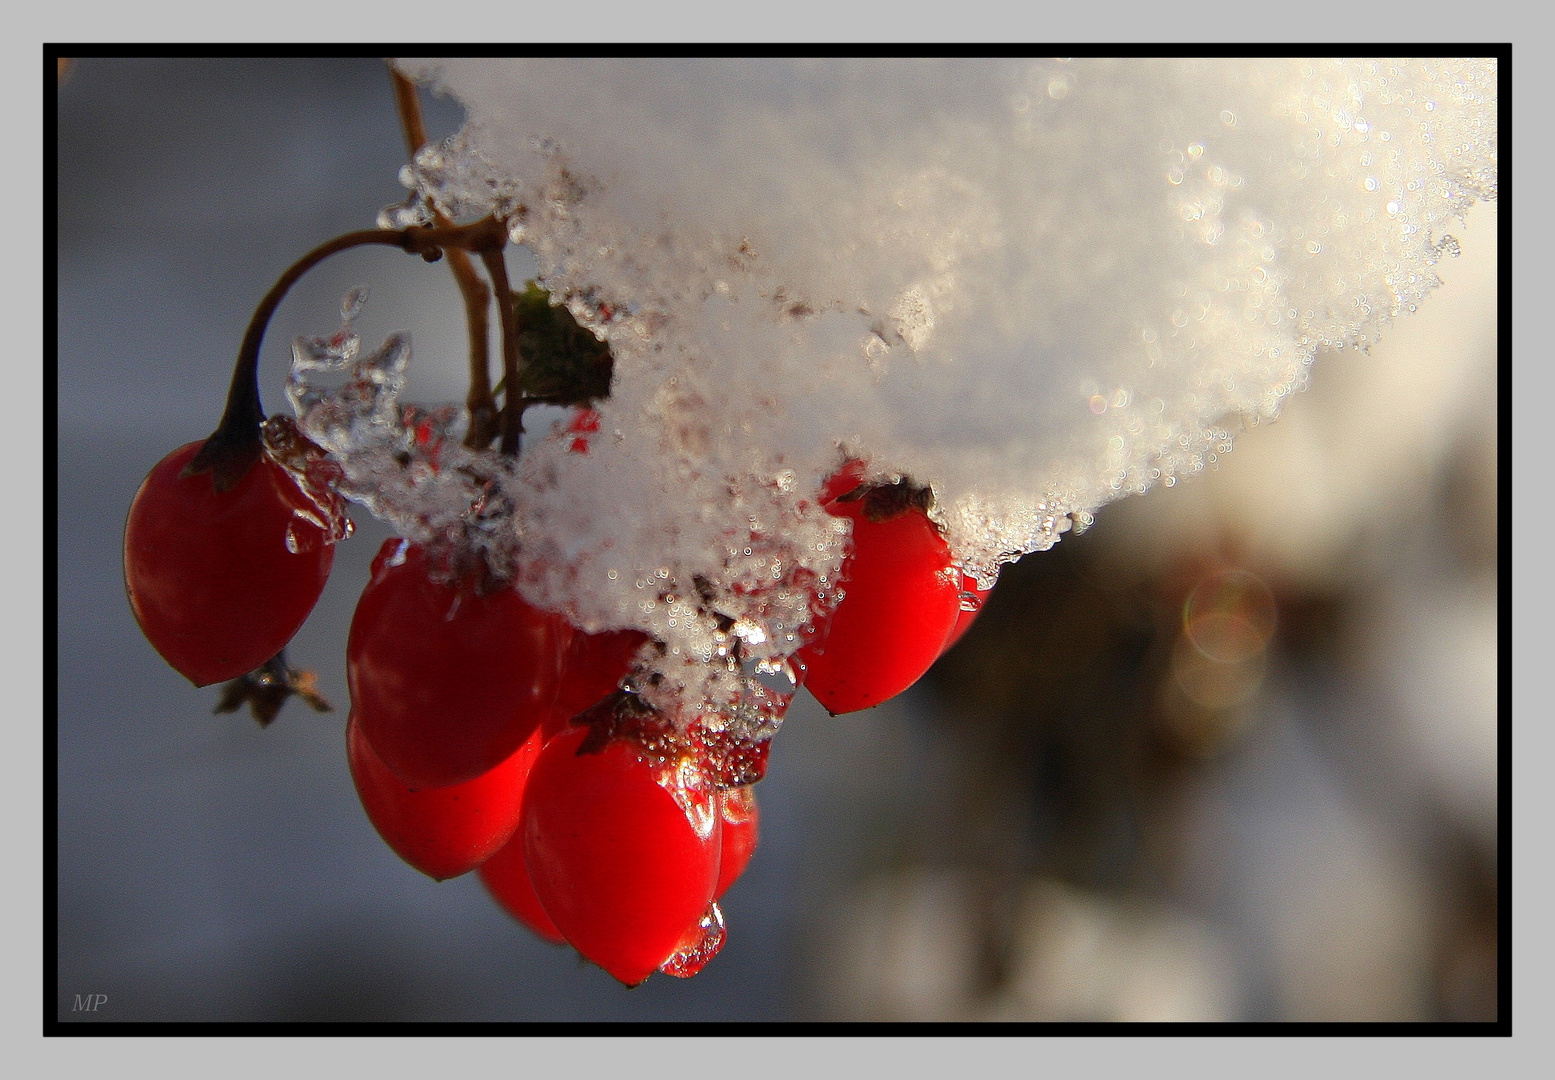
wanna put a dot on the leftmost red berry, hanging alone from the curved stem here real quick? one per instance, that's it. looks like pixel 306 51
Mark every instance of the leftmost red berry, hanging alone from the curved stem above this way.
pixel 222 580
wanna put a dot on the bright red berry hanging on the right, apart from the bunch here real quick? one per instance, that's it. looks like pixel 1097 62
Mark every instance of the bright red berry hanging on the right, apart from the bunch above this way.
pixel 903 597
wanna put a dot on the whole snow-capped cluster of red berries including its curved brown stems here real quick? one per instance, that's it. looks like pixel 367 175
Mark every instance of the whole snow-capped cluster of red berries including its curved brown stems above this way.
pixel 486 733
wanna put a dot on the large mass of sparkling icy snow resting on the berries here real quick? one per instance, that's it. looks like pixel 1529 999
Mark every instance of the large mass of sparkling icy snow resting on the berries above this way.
pixel 1033 285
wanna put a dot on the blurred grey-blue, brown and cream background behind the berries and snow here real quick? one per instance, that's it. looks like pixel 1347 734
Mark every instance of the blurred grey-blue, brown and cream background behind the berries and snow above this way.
pixel 1231 754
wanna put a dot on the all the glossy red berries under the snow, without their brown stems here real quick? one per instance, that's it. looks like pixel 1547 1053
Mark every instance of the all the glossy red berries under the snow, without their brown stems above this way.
pixel 489 734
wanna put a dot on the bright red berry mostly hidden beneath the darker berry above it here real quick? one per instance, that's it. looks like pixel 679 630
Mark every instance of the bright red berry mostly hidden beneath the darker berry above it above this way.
pixel 442 832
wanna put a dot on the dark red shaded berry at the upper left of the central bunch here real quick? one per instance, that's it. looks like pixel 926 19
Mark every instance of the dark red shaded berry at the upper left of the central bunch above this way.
pixel 447 681
